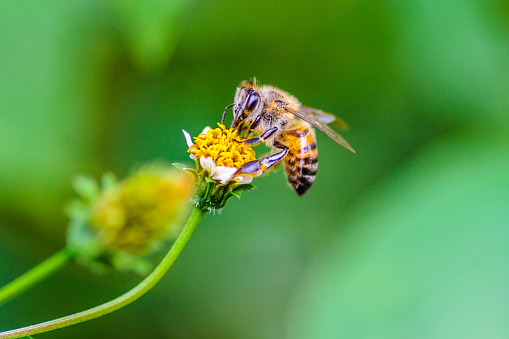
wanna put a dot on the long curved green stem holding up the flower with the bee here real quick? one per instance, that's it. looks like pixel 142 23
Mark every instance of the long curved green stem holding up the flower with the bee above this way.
pixel 124 299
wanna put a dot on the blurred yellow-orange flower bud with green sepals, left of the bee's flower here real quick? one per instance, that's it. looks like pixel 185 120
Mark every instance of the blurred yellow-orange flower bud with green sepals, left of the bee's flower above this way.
pixel 123 222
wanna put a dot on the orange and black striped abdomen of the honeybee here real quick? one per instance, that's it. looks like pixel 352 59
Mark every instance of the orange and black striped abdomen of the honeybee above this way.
pixel 301 161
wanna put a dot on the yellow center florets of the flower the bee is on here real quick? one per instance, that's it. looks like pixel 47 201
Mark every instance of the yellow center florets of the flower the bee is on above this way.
pixel 224 146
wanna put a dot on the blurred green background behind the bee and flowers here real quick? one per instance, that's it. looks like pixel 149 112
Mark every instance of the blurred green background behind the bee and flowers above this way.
pixel 408 238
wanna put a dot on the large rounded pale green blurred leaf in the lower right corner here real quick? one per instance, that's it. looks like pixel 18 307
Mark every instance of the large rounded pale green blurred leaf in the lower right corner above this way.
pixel 427 255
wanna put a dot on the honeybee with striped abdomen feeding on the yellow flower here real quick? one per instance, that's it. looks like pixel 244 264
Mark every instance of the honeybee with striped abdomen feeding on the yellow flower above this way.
pixel 284 124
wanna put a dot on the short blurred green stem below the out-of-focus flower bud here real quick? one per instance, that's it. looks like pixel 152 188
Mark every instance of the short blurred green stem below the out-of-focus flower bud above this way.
pixel 36 274
